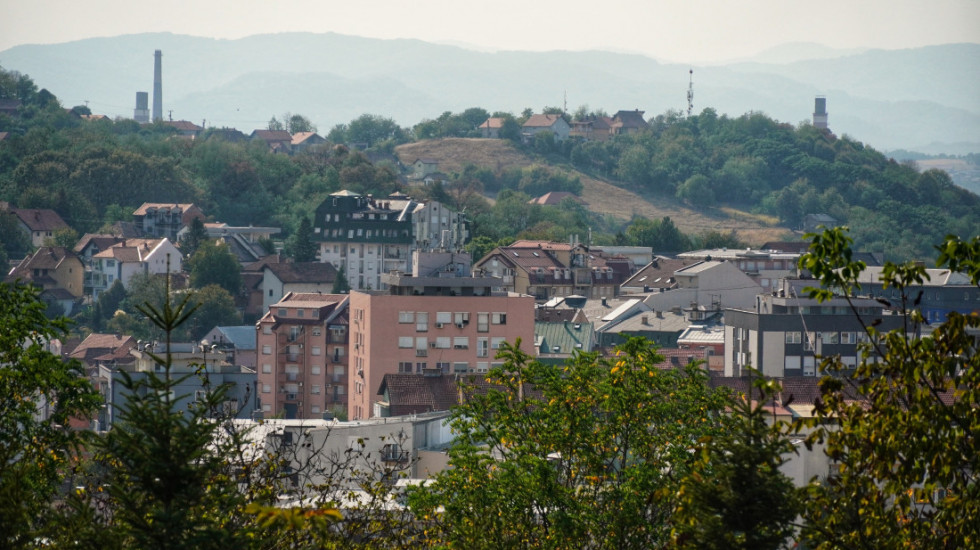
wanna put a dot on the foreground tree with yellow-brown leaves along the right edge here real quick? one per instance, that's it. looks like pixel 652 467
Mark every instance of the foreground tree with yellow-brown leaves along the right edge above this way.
pixel 906 455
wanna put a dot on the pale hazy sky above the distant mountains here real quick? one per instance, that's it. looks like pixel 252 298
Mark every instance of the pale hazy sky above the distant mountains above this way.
pixel 696 31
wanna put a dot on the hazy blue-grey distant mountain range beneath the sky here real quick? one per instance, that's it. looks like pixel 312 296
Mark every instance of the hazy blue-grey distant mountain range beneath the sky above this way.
pixel 922 99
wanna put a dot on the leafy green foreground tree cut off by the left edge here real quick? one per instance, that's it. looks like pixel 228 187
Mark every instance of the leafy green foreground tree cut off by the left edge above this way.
pixel 39 394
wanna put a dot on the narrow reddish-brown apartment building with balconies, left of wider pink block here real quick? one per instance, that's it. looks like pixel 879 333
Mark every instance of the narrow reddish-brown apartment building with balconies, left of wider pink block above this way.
pixel 301 349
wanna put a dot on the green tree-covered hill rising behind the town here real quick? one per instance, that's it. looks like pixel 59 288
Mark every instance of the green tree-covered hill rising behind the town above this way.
pixel 751 168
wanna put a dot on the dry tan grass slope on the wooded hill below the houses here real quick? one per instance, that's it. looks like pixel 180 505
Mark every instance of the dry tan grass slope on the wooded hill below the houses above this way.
pixel 601 197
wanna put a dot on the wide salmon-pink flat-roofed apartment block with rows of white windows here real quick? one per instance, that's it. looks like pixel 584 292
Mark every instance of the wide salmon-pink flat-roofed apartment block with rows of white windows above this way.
pixel 428 324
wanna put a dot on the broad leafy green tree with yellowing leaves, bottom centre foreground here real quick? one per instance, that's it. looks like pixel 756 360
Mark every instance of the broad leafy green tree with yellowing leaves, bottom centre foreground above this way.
pixel 588 454
